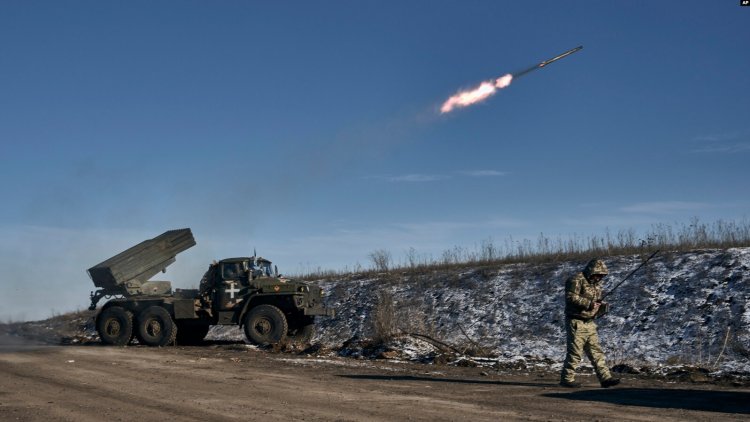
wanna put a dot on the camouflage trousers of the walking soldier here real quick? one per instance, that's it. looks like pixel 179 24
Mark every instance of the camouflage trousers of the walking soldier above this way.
pixel 582 337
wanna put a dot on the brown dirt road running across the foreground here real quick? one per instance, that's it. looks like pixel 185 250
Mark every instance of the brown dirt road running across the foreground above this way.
pixel 235 382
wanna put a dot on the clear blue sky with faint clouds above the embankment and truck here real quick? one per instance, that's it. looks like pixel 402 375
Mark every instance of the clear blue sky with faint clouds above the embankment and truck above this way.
pixel 310 130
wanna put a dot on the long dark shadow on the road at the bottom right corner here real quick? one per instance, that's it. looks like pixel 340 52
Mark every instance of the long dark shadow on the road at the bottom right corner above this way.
pixel 703 400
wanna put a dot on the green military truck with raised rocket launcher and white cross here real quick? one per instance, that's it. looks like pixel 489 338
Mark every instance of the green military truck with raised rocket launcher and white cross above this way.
pixel 245 291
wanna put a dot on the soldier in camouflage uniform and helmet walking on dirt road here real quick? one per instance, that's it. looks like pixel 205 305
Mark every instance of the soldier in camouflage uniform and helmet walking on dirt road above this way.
pixel 582 303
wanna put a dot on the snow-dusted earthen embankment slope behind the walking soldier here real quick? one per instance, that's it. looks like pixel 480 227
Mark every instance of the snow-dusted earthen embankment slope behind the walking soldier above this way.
pixel 683 307
